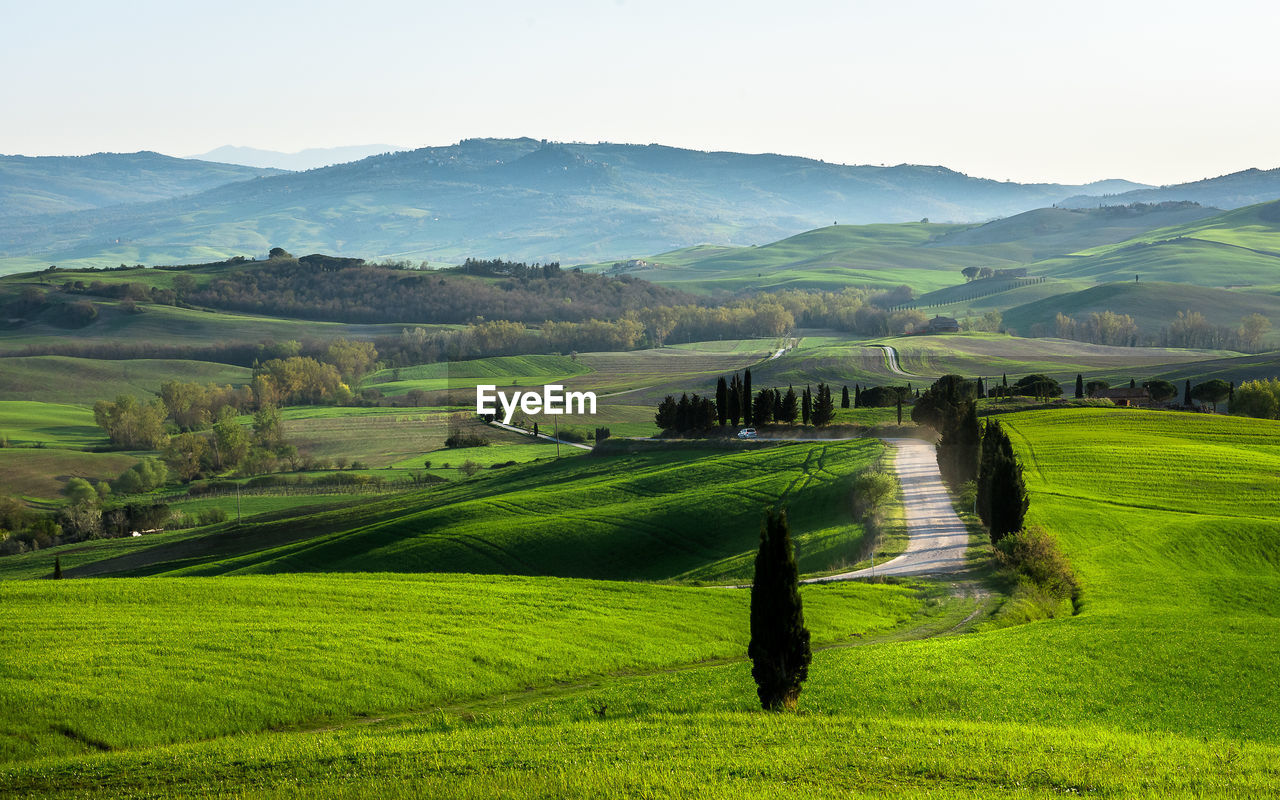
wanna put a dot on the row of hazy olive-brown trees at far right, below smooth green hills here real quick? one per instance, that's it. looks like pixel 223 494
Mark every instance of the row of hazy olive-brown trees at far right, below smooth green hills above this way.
pixel 1187 330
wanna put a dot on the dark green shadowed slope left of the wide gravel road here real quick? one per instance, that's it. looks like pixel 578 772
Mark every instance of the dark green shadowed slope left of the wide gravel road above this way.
pixel 627 518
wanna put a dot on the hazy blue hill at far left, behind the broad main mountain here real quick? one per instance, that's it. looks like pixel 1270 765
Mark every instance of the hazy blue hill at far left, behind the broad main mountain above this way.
pixel 49 185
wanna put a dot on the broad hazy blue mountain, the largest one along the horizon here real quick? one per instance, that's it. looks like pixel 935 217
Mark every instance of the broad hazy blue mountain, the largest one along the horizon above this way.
pixel 532 200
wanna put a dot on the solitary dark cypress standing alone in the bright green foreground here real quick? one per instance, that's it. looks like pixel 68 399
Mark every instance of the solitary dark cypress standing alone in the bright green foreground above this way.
pixel 780 642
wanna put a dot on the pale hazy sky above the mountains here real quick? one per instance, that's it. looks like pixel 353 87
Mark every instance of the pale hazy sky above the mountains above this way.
pixel 1075 92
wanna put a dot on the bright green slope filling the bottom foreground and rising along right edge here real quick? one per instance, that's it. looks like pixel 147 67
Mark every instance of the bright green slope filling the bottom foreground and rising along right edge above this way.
pixel 1162 687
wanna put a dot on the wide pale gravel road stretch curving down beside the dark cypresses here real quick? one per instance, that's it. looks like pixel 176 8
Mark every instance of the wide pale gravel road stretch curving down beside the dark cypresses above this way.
pixel 938 538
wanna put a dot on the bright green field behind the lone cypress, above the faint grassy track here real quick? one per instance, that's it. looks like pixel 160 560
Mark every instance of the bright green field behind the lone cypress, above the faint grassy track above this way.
pixel 134 664
